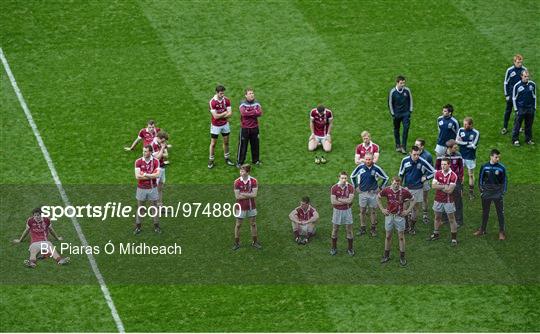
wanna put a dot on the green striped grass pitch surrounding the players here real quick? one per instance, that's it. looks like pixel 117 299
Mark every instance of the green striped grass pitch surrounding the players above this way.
pixel 92 74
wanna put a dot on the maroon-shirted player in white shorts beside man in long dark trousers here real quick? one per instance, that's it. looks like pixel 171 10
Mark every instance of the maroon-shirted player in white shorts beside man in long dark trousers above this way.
pixel 220 108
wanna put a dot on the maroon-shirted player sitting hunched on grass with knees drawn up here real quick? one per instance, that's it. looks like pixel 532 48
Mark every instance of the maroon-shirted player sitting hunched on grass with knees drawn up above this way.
pixel 304 219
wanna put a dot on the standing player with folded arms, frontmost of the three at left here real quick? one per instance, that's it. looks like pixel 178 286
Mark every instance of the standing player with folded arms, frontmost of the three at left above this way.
pixel 146 173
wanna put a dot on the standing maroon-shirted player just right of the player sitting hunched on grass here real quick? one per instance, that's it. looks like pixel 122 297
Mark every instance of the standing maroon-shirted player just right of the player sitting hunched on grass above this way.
pixel 342 196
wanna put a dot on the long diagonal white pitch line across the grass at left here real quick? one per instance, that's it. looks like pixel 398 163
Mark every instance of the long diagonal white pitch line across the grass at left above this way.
pixel 56 178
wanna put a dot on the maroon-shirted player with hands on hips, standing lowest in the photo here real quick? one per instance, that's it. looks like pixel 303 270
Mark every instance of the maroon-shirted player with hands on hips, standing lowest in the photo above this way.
pixel 395 215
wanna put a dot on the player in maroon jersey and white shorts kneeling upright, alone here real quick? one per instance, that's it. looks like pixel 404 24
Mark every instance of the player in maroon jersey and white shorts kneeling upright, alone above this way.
pixel 320 123
